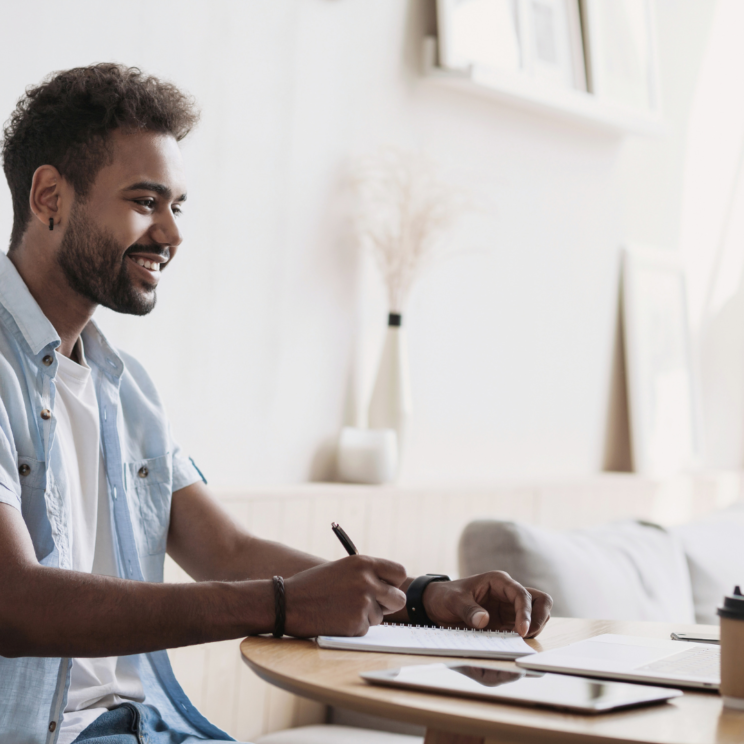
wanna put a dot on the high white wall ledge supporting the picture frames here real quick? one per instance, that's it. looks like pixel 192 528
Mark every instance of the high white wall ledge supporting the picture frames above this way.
pixel 520 91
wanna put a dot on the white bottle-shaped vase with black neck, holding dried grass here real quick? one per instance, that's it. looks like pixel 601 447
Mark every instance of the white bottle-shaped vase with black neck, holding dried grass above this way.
pixel 391 406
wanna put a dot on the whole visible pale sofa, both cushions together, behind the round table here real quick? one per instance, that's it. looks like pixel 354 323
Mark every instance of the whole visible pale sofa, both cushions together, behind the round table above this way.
pixel 627 570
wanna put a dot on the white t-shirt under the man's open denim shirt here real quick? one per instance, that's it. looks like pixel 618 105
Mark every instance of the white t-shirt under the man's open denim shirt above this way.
pixel 95 684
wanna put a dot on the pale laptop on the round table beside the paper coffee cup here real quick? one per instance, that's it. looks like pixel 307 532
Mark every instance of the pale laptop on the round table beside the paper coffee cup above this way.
pixel 635 659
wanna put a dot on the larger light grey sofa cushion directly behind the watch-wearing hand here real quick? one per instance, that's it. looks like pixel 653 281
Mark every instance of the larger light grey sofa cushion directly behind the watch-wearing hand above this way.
pixel 621 571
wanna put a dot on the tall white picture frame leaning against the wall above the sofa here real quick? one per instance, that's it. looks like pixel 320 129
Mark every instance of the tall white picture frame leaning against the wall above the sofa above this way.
pixel 662 385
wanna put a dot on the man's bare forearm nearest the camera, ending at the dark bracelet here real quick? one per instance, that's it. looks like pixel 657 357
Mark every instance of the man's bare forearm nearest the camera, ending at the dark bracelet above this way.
pixel 54 612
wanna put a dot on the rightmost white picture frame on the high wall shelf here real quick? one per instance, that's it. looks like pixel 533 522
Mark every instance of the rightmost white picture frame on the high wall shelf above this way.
pixel 621 54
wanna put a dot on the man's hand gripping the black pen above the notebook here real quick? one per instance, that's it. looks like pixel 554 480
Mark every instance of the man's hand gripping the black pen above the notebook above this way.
pixel 343 597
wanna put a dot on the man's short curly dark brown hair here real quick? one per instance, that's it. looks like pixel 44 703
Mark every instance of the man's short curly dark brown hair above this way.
pixel 66 121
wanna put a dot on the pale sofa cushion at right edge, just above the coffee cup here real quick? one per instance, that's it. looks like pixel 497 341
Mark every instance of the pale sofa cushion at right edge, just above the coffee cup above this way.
pixel 715 556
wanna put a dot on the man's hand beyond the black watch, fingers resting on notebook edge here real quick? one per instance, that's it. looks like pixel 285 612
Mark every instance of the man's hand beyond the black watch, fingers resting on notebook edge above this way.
pixel 492 600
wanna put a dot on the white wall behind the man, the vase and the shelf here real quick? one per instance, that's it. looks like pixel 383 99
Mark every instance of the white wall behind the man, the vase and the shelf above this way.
pixel 268 313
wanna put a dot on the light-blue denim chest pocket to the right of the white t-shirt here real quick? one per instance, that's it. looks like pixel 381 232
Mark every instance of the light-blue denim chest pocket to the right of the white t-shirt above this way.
pixel 149 484
